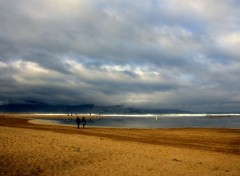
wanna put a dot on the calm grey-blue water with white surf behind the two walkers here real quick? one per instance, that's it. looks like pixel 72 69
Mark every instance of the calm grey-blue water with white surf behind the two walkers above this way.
pixel 159 121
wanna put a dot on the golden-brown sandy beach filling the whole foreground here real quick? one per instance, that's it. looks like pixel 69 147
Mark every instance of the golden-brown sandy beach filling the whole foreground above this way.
pixel 31 149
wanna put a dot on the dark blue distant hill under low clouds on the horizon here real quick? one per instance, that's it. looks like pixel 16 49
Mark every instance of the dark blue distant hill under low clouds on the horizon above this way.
pixel 85 108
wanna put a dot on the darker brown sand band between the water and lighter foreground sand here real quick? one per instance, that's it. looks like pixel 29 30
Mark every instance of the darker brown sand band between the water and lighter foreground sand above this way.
pixel 165 136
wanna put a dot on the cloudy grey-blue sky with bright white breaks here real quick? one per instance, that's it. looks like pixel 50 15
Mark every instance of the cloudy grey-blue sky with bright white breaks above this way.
pixel 166 54
